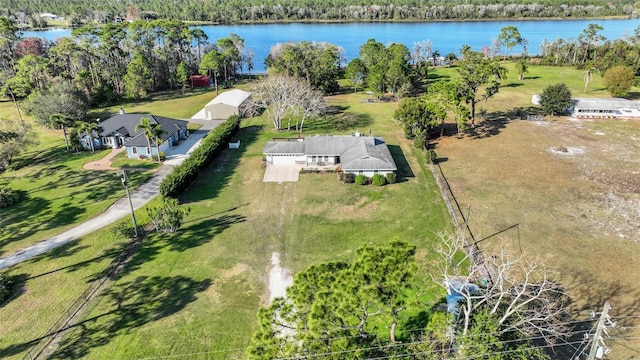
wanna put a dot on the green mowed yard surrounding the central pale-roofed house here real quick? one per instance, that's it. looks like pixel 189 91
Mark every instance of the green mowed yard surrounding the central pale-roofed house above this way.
pixel 199 290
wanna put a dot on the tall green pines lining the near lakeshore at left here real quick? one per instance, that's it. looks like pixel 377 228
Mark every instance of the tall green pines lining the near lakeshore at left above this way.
pixel 116 61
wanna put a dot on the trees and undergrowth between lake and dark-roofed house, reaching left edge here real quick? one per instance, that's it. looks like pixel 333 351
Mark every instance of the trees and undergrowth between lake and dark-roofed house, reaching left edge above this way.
pixel 60 81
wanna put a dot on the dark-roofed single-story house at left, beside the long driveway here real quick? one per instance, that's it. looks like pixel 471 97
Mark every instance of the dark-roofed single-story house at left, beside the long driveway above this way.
pixel 119 130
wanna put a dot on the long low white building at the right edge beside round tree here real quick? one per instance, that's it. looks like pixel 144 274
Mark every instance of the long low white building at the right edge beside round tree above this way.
pixel 606 108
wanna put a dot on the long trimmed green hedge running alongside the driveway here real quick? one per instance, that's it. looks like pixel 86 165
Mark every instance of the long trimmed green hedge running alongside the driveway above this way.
pixel 182 175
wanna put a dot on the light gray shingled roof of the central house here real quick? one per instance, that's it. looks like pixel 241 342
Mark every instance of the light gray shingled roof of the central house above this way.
pixel 356 152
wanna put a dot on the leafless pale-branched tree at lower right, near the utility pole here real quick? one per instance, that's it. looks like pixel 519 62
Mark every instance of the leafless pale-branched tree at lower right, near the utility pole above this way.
pixel 517 289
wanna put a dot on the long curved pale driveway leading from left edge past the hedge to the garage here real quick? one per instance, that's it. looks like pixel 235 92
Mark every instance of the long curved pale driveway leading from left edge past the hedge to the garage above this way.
pixel 140 196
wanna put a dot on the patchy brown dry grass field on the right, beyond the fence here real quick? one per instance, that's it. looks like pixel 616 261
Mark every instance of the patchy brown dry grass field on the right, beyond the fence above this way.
pixel 574 188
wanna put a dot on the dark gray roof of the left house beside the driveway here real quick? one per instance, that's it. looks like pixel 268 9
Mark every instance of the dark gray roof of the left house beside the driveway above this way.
pixel 125 124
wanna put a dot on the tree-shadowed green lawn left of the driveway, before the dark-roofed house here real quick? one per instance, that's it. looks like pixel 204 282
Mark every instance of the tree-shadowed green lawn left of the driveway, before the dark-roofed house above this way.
pixel 58 192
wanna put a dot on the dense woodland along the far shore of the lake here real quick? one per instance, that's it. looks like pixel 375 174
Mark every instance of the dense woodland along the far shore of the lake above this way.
pixel 234 11
